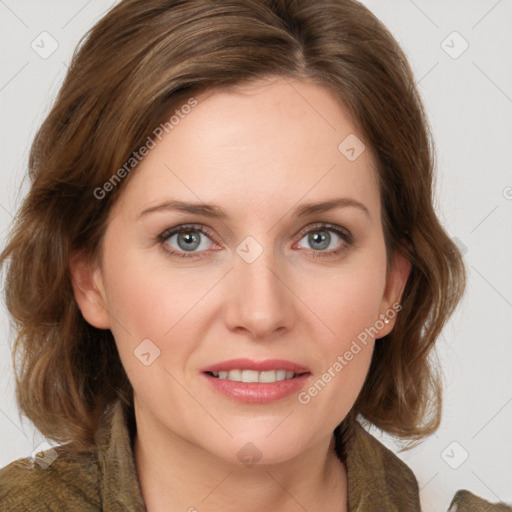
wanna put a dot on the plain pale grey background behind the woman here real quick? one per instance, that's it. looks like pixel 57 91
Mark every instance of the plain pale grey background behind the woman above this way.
pixel 460 52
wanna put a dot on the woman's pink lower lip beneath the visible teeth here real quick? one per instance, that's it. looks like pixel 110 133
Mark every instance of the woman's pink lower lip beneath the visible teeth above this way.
pixel 255 392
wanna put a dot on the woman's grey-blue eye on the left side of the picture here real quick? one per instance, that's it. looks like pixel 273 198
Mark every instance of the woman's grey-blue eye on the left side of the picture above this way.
pixel 185 241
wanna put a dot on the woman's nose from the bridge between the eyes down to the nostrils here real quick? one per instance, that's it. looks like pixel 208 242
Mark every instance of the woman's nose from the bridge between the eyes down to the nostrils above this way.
pixel 260 301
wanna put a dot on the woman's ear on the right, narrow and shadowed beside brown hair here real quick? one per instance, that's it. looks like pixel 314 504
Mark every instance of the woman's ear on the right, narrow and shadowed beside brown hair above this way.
pixel 396 280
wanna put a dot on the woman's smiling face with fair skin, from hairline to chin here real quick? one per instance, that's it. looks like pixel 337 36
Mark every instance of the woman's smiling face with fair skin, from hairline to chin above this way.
pixel 265 279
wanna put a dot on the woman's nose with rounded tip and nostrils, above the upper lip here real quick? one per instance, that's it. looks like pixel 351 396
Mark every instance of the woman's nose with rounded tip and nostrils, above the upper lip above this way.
pixel 258 299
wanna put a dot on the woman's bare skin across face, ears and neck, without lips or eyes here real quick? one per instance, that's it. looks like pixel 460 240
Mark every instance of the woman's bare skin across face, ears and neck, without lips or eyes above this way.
pixel 258 152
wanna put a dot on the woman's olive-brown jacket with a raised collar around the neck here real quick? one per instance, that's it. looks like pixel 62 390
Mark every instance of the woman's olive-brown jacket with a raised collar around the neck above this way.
pixel 106 480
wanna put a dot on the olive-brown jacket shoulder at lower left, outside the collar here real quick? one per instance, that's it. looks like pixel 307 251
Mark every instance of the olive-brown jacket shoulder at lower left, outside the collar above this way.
pixel 56 479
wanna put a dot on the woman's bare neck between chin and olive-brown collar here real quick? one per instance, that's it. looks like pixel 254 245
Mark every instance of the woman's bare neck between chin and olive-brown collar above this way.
pixel 174 472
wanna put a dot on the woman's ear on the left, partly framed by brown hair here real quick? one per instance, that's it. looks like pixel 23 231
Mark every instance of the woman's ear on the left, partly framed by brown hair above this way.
pixel 89 291
